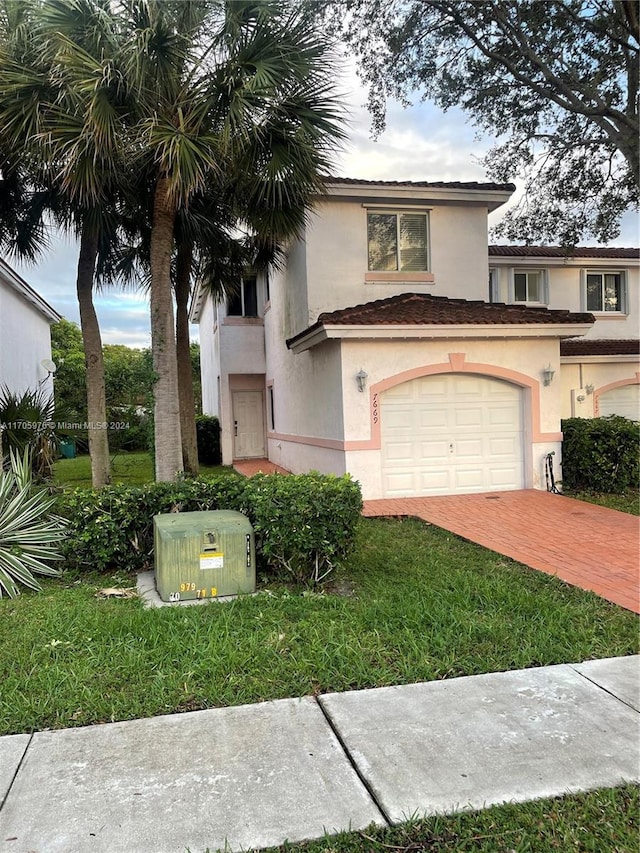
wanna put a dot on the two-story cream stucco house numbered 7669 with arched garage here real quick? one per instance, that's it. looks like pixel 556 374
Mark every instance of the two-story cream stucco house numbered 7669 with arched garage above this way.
pixel 377 350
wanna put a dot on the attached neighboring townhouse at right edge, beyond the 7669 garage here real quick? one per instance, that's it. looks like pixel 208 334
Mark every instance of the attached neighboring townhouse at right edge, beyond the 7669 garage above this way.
pixel 600 372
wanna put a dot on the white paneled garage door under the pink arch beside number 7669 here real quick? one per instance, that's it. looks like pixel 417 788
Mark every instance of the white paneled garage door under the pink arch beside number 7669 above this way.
pixel 451 433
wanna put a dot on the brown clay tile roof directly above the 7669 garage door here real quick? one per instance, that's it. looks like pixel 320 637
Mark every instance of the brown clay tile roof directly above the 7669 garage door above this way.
pixel 423 309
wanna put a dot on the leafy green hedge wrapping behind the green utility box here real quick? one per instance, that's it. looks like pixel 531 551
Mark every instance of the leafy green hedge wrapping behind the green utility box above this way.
pixel 304 523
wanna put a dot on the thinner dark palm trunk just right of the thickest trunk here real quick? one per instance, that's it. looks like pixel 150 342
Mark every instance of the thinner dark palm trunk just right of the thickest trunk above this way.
pixel 185 376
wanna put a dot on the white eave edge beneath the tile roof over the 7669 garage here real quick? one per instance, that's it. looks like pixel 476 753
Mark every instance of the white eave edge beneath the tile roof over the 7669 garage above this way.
pixel 319 333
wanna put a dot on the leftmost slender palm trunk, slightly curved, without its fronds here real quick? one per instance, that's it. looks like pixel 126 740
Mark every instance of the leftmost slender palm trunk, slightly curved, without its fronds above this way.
pixel 96 403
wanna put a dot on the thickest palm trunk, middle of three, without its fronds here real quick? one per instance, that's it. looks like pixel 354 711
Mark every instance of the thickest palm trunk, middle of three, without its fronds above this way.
pixel 168 444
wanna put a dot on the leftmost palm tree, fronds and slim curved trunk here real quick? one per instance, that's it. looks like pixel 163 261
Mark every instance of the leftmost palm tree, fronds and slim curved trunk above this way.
pixel 65 153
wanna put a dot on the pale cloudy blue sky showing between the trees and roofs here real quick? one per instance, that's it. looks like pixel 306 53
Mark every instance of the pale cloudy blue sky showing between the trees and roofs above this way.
pixel 421 143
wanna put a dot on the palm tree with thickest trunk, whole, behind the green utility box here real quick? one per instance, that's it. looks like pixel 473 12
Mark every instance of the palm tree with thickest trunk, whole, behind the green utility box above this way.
pixel 221 90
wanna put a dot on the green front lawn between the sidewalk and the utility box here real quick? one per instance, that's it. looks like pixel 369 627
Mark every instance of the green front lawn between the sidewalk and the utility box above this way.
pixel 425 605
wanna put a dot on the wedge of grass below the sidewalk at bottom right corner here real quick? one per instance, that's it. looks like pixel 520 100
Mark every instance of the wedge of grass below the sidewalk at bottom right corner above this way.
pixel 604 821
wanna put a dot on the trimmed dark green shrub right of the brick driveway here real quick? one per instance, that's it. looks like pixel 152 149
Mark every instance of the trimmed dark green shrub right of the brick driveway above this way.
pixel 600 454
